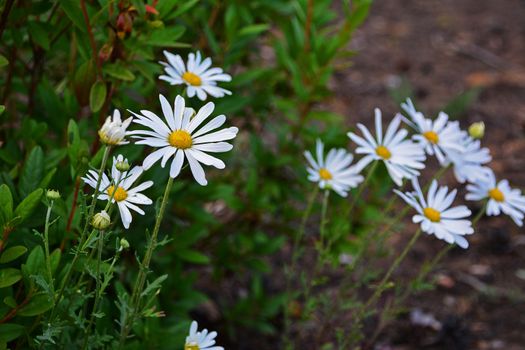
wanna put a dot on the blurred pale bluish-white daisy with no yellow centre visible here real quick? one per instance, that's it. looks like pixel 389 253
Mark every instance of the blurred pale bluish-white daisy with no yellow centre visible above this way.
pixel 469 165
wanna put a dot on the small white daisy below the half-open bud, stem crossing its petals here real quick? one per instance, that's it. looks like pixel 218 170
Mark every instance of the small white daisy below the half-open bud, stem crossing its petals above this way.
pixel 126 196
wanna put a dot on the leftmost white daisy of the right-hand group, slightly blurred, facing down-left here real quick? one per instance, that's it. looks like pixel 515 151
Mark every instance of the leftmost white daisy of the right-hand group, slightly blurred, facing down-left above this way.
pixel 335 171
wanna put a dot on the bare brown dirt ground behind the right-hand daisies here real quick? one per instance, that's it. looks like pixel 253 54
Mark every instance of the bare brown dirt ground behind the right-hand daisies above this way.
pixel 444 48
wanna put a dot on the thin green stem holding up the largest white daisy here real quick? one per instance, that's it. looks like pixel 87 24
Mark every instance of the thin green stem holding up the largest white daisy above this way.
pixel 141 278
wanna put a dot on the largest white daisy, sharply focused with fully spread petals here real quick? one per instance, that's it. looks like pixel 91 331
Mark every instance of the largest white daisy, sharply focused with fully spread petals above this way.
pixel 181 135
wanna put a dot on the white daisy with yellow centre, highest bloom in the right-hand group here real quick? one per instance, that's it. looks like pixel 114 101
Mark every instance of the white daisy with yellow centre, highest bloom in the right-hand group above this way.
pixel 437 137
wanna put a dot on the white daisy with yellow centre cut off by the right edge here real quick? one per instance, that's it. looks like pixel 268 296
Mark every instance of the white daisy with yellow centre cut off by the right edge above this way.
pixel 501 197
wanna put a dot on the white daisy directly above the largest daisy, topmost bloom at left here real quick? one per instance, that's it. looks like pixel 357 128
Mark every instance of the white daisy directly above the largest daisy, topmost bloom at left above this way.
pixel 199 78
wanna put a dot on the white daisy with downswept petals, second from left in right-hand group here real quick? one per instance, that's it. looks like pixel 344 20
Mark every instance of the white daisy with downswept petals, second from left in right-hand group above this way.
pixel 402 157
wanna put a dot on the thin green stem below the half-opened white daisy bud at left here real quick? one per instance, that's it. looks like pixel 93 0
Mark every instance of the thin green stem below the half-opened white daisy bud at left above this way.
pixel 83 234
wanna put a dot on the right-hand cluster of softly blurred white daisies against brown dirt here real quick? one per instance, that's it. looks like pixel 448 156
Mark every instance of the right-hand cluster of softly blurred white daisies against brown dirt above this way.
pixel 404 157
